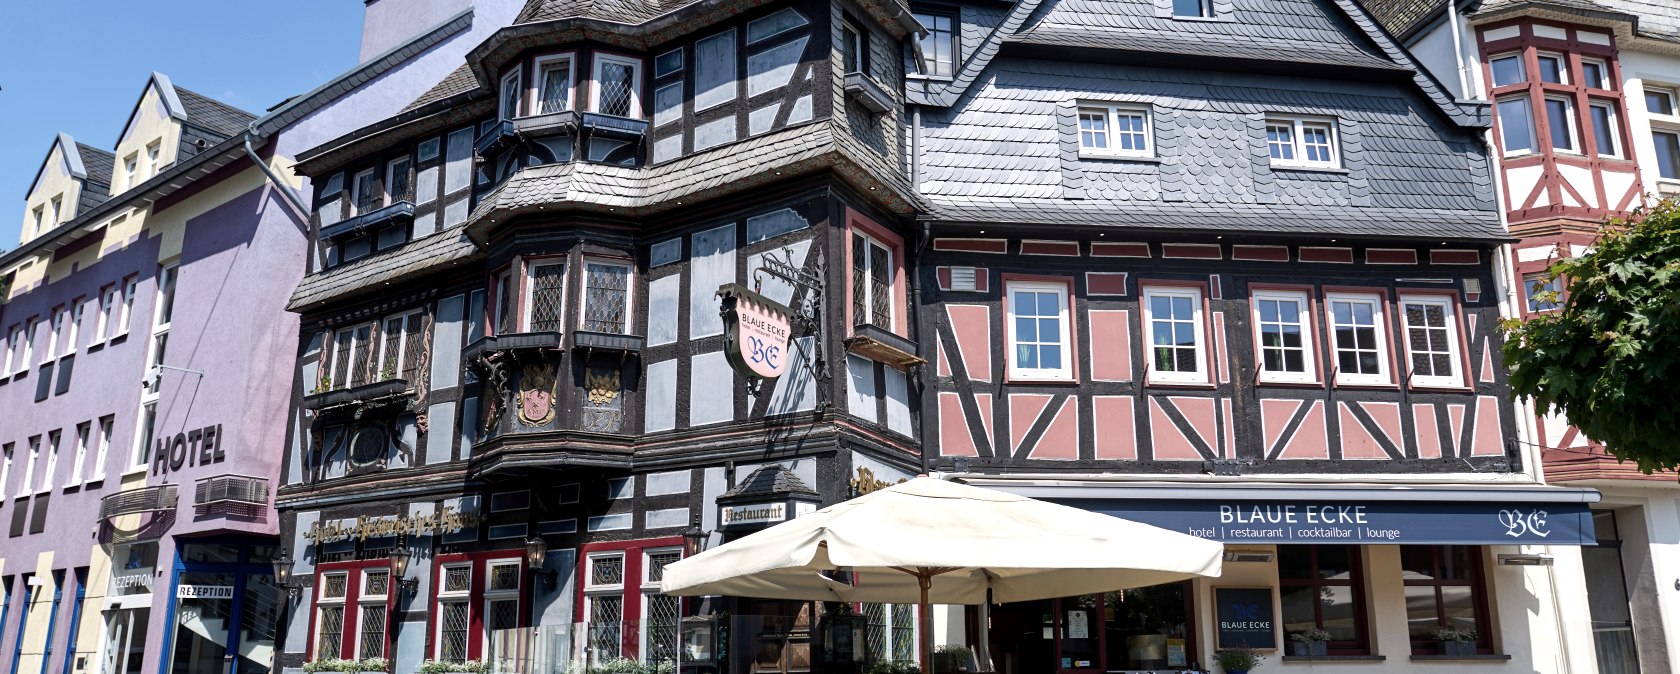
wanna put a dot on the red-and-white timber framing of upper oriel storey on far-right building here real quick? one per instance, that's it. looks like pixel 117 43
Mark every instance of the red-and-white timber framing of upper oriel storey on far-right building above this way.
pixel 1588 182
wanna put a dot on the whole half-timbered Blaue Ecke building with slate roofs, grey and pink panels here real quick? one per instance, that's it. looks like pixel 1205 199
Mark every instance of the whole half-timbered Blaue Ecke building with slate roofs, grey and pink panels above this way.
pixel 634 282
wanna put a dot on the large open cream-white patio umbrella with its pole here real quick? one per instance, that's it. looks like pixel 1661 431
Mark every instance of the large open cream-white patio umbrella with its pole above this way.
pixel 942 542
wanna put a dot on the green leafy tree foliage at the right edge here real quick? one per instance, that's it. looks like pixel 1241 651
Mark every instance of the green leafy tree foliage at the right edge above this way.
pixel 1610 357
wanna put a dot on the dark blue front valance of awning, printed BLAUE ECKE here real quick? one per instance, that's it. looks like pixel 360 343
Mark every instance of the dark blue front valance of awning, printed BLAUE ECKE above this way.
pixel 1360 522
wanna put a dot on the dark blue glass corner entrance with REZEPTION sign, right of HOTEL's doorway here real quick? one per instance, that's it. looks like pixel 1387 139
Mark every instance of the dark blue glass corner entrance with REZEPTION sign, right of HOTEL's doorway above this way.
pixel 226 609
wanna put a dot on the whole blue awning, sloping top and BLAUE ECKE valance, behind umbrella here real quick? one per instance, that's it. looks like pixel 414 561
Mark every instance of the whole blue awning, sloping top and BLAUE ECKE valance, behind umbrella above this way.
pixel 1333 513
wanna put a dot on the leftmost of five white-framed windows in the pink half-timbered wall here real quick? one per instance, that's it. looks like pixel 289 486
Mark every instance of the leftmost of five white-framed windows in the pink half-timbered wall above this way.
pixel 1039 330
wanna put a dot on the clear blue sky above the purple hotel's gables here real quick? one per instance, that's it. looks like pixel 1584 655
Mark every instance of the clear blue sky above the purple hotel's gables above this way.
pixel 78 66
